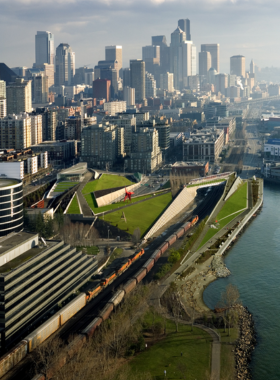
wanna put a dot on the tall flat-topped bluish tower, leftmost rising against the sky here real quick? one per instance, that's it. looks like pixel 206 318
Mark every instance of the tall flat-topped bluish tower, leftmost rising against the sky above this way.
pixel 44 48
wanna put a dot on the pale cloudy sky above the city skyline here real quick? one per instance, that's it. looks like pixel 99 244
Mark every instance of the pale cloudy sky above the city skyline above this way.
pixel 247 27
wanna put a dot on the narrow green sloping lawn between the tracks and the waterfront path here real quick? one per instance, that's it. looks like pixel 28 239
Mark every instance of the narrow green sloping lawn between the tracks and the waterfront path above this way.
pixel 236 202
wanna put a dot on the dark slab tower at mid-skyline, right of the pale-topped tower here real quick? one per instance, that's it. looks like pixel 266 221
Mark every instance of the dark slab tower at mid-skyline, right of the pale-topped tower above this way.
pixel 137 79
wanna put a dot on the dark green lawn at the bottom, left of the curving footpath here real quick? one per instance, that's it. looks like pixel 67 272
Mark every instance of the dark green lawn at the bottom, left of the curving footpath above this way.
pixel 195 363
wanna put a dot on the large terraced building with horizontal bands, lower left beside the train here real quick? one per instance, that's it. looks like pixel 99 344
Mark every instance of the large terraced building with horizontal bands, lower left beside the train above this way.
pixel 34 278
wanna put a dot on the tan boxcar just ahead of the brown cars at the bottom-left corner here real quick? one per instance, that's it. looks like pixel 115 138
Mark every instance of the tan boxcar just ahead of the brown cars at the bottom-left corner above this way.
pixel 43 332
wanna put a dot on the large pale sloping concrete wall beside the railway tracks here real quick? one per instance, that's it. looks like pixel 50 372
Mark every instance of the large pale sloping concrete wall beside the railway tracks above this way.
pixel 185 197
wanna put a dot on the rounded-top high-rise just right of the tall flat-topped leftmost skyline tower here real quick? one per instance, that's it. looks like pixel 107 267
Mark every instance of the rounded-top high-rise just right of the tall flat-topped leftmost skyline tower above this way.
pixel 64 65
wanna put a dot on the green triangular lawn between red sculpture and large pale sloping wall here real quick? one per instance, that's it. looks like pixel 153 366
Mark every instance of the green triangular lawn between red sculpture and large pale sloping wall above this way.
pixel 141 215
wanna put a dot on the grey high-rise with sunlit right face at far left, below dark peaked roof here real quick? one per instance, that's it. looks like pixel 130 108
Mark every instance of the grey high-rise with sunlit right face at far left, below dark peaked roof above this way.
pixel 19 97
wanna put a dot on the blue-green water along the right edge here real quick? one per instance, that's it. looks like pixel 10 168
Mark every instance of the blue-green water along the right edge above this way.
pixel 254 262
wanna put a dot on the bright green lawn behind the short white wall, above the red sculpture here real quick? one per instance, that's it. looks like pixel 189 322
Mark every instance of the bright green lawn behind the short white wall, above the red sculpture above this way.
pixel 107 181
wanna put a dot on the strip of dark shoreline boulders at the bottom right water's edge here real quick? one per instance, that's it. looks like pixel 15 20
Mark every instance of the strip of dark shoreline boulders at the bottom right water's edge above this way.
pixel 245 344
